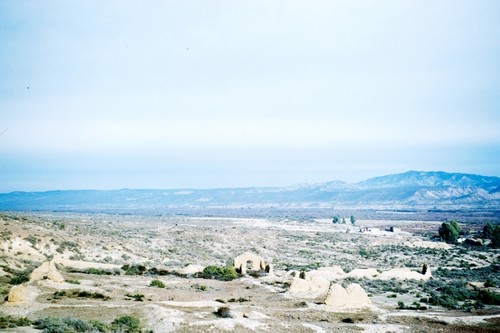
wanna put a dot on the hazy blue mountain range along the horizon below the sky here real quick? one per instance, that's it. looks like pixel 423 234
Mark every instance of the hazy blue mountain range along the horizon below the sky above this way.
pixel 413 190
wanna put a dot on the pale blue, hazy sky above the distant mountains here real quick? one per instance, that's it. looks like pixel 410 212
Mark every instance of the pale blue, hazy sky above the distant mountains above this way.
pixel 203 94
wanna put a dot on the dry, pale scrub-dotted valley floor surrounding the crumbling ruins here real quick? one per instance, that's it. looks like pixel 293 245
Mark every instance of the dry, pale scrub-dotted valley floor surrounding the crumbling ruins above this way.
pixel 173 249
